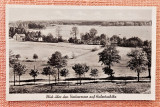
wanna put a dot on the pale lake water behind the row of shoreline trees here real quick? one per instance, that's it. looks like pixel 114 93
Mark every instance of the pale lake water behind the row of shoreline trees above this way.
pixel 143 32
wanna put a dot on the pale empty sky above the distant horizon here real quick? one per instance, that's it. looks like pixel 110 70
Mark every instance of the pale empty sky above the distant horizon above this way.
pixel 30 14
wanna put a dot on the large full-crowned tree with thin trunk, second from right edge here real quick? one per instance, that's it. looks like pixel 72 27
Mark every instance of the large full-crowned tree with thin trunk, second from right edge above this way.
pixel 138 61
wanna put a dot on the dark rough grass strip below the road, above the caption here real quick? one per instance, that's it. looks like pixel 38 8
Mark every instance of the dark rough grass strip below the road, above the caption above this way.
pixel 100 87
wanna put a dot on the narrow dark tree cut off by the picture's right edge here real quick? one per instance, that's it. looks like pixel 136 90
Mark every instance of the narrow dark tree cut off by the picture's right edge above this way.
pixel 148 51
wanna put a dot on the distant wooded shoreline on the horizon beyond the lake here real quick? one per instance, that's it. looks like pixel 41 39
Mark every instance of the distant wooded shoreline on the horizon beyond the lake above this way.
pixel 43 24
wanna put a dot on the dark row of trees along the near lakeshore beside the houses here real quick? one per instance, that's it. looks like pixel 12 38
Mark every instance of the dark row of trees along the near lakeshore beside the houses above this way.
pixel 87 38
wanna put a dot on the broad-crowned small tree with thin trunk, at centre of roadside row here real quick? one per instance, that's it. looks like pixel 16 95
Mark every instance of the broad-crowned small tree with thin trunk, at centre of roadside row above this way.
pixel 80 69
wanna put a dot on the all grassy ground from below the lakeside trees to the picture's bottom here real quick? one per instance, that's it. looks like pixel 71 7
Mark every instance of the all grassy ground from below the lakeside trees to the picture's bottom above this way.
pixel 83 54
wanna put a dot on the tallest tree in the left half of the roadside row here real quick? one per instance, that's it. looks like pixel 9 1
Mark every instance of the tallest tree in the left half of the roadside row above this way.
pixel 57 61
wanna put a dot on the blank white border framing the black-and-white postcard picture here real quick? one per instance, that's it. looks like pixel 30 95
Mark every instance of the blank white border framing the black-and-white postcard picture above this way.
pixel 23 97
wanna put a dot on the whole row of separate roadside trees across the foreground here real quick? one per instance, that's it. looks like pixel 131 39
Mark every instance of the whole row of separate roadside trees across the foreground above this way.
pixel 140 60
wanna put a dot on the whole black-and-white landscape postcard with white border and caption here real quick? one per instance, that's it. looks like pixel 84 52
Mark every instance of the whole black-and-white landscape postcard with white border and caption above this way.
pixel 80 52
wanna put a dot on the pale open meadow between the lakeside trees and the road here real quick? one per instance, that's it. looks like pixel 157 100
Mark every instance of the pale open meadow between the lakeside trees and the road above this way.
pixel 83 54
